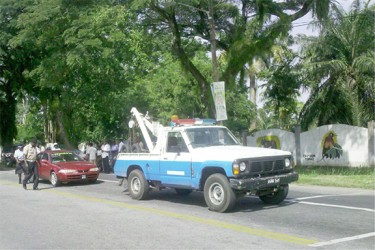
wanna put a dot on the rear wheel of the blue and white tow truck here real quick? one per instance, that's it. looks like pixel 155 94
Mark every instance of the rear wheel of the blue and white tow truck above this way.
pixel 138 185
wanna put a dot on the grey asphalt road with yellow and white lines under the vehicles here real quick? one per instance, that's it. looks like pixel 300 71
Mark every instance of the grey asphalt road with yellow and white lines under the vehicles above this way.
pixel 103 216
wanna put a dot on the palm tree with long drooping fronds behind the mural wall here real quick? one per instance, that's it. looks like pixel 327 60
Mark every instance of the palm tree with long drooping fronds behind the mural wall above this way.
pixel 340 64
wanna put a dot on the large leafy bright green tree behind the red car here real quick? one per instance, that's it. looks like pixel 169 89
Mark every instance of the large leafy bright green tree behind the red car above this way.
pixel 87 53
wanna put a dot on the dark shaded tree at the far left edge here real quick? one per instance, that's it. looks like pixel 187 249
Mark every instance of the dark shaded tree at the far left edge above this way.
pixel 12 64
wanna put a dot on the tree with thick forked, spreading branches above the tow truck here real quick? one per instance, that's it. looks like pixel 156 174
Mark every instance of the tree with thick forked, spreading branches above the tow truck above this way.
pixel 245 29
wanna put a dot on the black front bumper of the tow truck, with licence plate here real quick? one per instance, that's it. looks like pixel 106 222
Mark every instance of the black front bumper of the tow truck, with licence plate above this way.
pixel 257 183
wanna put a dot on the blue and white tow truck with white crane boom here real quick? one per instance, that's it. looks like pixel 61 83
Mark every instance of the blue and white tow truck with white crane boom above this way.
pixel 208 158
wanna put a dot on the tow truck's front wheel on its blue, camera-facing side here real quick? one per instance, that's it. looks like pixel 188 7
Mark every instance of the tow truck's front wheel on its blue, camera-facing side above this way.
pixel 218 194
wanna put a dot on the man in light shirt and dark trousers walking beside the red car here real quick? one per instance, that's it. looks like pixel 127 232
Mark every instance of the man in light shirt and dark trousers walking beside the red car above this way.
pixel 30 152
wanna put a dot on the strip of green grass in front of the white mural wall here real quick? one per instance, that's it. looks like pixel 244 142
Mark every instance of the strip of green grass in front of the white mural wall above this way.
pixel 363 177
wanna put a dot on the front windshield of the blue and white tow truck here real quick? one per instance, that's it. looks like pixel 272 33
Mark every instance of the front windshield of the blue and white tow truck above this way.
pixel 210 136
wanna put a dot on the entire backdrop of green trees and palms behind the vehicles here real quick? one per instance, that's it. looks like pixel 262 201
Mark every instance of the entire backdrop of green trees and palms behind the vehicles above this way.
pixel 78 81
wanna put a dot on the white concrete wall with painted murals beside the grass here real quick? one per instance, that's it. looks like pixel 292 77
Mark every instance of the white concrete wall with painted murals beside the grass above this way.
pixel 329 145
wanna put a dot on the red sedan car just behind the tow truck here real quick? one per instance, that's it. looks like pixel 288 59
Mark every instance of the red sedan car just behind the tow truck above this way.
pixel 63 166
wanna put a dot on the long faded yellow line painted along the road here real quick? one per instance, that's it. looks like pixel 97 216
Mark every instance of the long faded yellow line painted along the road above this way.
pixel 210 222
